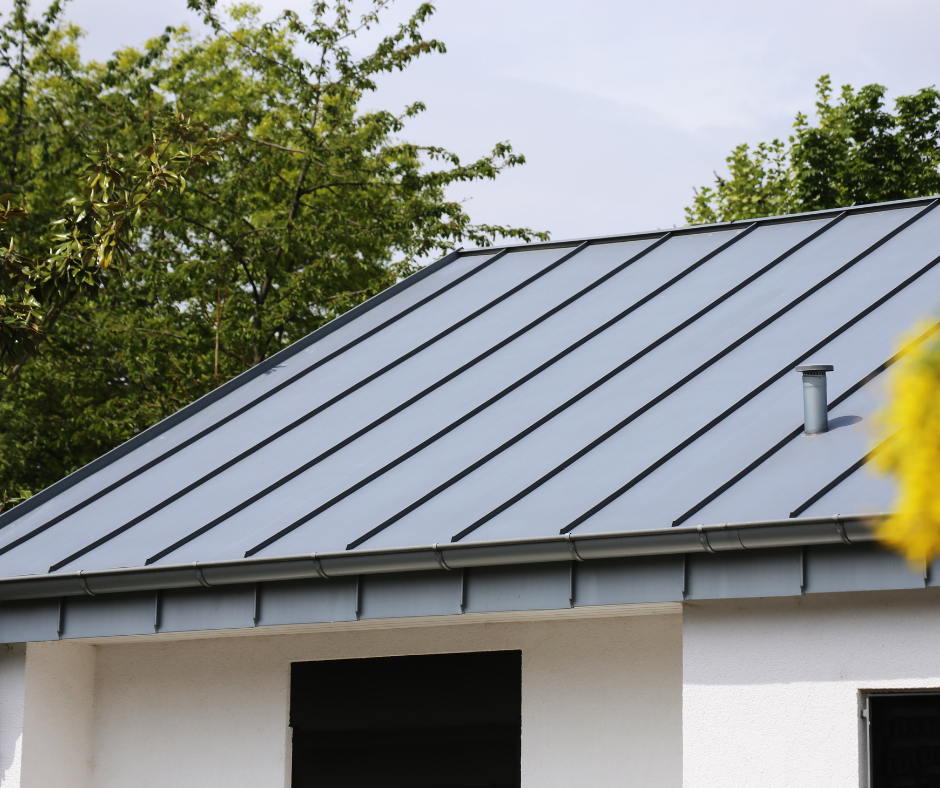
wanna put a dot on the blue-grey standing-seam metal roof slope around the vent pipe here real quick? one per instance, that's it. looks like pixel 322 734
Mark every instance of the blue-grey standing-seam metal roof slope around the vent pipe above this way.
pixel 611 385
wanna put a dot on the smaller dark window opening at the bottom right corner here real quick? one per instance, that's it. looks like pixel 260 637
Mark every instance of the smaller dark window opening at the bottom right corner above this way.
pixel 904 740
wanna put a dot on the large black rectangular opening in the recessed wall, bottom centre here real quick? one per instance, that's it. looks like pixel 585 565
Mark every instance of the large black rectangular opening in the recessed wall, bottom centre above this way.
pixel 434 721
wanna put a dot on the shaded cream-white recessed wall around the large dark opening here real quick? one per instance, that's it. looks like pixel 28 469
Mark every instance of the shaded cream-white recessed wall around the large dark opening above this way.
pixel 601 701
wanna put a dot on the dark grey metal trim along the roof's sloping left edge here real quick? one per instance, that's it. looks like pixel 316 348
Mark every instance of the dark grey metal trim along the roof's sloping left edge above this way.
pixel 239 380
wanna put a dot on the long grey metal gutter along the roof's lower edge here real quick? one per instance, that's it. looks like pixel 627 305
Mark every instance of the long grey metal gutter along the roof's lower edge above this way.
pixel 582 547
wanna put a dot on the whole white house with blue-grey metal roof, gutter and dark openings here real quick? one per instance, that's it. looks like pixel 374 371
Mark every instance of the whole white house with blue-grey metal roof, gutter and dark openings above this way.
pixel 547 515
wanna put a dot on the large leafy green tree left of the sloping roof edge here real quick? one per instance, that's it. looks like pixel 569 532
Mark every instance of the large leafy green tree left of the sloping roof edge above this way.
pixel 314 206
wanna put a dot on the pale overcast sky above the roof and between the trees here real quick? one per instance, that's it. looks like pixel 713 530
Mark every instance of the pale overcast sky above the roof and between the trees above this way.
pixel 621 108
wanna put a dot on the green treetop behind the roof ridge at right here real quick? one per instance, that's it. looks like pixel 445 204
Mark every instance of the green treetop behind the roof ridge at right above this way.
pixel 857 152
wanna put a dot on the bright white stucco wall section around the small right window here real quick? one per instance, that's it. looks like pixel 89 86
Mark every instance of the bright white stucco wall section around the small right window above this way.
pixel 771 687
